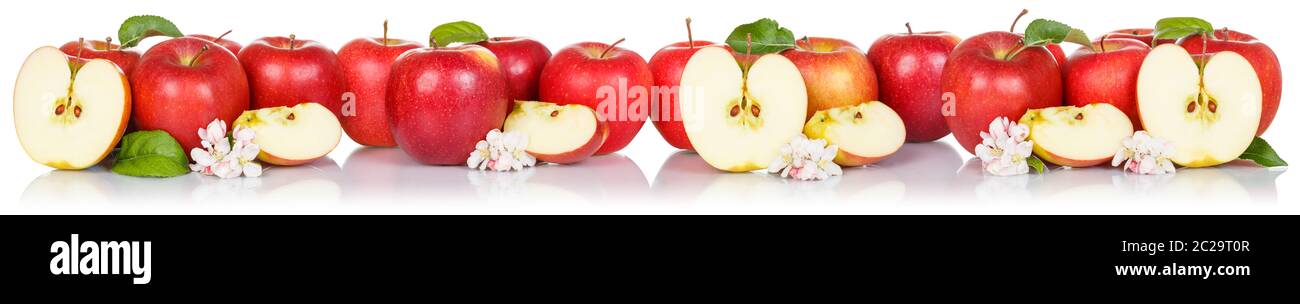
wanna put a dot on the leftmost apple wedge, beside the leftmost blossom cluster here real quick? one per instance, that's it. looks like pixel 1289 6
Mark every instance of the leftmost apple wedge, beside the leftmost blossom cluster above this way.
pixel 293 136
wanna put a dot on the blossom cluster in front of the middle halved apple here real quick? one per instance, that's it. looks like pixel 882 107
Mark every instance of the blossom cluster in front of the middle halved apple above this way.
pixel 807 160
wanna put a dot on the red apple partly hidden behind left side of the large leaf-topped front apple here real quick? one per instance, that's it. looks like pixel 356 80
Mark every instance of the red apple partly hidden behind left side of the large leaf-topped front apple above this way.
pixel 366 63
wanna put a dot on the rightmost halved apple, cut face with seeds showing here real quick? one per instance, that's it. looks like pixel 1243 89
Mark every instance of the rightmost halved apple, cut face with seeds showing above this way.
pixel 1210 114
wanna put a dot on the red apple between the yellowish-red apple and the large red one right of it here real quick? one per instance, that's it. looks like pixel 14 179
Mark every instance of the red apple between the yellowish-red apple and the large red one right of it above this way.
pixel 909 68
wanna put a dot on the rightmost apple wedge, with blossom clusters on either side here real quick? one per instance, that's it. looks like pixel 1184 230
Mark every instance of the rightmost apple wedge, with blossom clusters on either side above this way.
pixel 1078 136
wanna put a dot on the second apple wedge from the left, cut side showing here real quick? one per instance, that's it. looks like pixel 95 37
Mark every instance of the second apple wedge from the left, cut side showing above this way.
pixel 560 134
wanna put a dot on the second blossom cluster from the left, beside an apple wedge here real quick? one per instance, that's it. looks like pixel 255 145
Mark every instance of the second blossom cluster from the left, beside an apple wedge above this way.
pixel 501 153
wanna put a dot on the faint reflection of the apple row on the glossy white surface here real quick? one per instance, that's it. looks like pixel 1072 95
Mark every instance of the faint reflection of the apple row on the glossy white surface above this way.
pixel 926 175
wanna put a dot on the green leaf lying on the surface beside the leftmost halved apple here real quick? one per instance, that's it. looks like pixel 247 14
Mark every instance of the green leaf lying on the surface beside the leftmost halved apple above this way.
pixel 151 154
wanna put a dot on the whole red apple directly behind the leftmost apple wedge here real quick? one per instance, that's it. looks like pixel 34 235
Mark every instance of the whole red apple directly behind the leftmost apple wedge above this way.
pixel 284 76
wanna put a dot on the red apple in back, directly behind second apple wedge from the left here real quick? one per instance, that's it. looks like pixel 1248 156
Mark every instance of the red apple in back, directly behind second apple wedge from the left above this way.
pixel 522 60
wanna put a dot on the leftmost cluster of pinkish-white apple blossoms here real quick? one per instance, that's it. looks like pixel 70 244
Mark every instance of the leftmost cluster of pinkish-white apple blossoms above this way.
pixel 226 157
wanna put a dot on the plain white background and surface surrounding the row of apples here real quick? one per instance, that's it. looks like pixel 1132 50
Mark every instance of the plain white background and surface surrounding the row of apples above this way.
pixel 648 177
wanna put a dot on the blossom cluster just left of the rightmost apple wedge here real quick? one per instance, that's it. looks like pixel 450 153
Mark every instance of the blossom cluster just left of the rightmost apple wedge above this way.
pixel 1004 150
